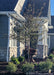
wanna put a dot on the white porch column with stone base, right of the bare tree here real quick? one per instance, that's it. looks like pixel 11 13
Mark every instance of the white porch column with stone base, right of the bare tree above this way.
pixel 42 46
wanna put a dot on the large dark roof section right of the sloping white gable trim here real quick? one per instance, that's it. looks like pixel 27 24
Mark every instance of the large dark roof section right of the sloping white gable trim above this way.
pixel 37 7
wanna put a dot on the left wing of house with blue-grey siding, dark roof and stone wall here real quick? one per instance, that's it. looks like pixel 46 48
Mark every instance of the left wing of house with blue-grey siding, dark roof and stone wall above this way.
pixel 9 15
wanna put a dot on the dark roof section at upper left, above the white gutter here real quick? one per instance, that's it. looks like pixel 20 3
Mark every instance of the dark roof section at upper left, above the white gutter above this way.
pixel 7 5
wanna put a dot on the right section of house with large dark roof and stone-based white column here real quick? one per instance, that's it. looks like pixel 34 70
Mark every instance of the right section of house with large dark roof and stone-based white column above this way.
pixel 41 10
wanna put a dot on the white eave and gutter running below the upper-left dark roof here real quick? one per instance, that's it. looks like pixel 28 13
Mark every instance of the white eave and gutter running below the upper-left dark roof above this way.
pixel 14 14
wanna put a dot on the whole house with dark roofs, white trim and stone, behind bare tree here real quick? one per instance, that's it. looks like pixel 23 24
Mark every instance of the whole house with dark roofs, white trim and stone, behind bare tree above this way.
pixel 12 12
